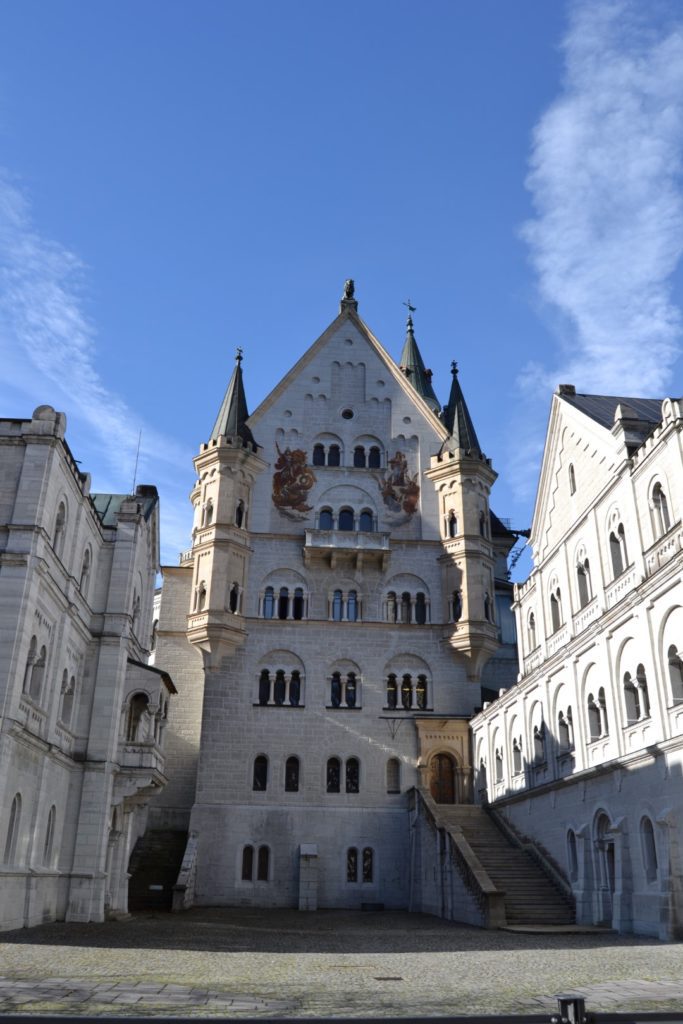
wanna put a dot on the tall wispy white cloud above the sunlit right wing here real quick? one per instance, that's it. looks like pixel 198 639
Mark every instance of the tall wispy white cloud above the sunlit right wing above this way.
pixel 606 184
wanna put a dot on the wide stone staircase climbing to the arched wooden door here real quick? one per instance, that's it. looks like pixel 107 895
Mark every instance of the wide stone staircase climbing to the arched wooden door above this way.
pixel 531 898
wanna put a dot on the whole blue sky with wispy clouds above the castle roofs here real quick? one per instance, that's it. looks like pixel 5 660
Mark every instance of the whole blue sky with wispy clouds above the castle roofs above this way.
pixel 181 180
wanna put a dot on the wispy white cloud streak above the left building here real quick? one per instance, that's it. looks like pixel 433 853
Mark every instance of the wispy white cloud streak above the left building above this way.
pixel 49 353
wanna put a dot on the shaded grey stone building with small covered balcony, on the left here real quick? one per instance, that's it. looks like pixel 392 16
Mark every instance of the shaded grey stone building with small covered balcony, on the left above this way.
pixel 82 714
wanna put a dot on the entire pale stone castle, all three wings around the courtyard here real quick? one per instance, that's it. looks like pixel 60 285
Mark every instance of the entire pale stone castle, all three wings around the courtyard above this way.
pixel 341 637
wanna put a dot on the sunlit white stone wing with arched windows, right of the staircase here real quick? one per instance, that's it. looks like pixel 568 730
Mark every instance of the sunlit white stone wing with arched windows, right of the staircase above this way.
pixel 585 755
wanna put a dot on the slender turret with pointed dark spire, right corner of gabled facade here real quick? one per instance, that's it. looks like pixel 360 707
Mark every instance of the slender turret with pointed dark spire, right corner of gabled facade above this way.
pixel 463 478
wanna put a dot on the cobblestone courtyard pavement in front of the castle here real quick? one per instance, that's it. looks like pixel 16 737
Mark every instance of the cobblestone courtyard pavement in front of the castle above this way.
pixel 285 964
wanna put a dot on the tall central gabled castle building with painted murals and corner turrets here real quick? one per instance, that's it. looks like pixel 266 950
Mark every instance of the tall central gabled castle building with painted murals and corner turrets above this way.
pixel 339 609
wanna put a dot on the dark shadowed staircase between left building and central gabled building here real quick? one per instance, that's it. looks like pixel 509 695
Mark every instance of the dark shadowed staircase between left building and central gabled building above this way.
pixel 154 868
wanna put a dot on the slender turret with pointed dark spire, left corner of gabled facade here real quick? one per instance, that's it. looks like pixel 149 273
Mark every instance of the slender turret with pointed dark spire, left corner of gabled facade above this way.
pixel 227 468
